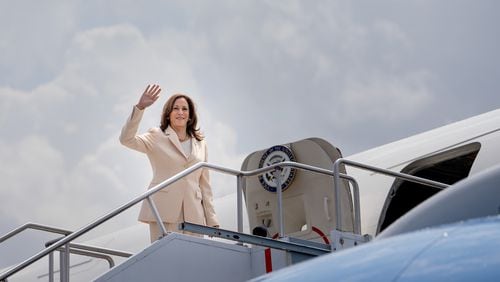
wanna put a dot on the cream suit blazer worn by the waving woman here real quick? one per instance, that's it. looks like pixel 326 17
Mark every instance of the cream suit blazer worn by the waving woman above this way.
pixel 191 193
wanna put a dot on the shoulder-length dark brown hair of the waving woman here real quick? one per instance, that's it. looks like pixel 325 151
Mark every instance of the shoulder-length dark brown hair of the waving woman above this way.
pixel 193 117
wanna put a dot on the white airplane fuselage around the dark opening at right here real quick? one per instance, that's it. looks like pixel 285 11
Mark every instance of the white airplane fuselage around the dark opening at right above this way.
pixel 374 188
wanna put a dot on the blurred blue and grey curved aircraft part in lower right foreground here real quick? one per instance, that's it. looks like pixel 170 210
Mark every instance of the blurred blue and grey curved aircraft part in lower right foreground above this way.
pixel 452 236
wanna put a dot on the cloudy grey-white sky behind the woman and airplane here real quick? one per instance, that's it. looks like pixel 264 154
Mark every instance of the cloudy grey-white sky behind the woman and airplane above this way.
pixel 358 74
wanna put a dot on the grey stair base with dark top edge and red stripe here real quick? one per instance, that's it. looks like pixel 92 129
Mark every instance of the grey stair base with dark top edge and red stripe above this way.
pixel 179 257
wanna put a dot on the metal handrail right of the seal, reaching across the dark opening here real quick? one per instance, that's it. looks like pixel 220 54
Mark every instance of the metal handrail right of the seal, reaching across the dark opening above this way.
pixel 408 177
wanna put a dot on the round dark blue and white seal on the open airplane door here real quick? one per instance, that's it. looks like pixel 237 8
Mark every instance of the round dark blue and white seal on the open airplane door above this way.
pixel 277 154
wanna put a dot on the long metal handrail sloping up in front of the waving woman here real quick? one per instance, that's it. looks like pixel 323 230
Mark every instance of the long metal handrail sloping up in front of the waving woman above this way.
pixel 151 191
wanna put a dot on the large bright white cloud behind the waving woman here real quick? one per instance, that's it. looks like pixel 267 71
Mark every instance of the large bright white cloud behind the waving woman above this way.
pixel 71 160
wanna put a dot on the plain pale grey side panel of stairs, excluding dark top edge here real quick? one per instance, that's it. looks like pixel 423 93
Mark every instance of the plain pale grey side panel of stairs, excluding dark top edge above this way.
pixel 179 257
